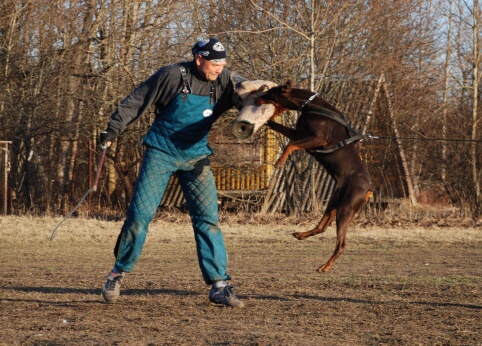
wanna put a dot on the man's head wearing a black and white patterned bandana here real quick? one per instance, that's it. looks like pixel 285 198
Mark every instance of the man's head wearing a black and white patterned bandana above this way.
pixel 210 58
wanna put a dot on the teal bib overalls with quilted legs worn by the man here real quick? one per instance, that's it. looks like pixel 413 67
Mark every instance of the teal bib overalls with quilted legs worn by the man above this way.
pixel 177 144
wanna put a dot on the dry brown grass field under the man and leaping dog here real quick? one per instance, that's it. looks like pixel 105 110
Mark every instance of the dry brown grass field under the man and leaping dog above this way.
pixel 407 285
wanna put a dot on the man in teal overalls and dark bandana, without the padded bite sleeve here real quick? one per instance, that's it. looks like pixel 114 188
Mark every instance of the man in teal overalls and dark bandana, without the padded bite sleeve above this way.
pixel 188 98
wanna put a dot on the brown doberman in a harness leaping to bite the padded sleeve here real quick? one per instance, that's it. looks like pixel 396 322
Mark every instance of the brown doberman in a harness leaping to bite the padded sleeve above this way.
pixel 323 132
